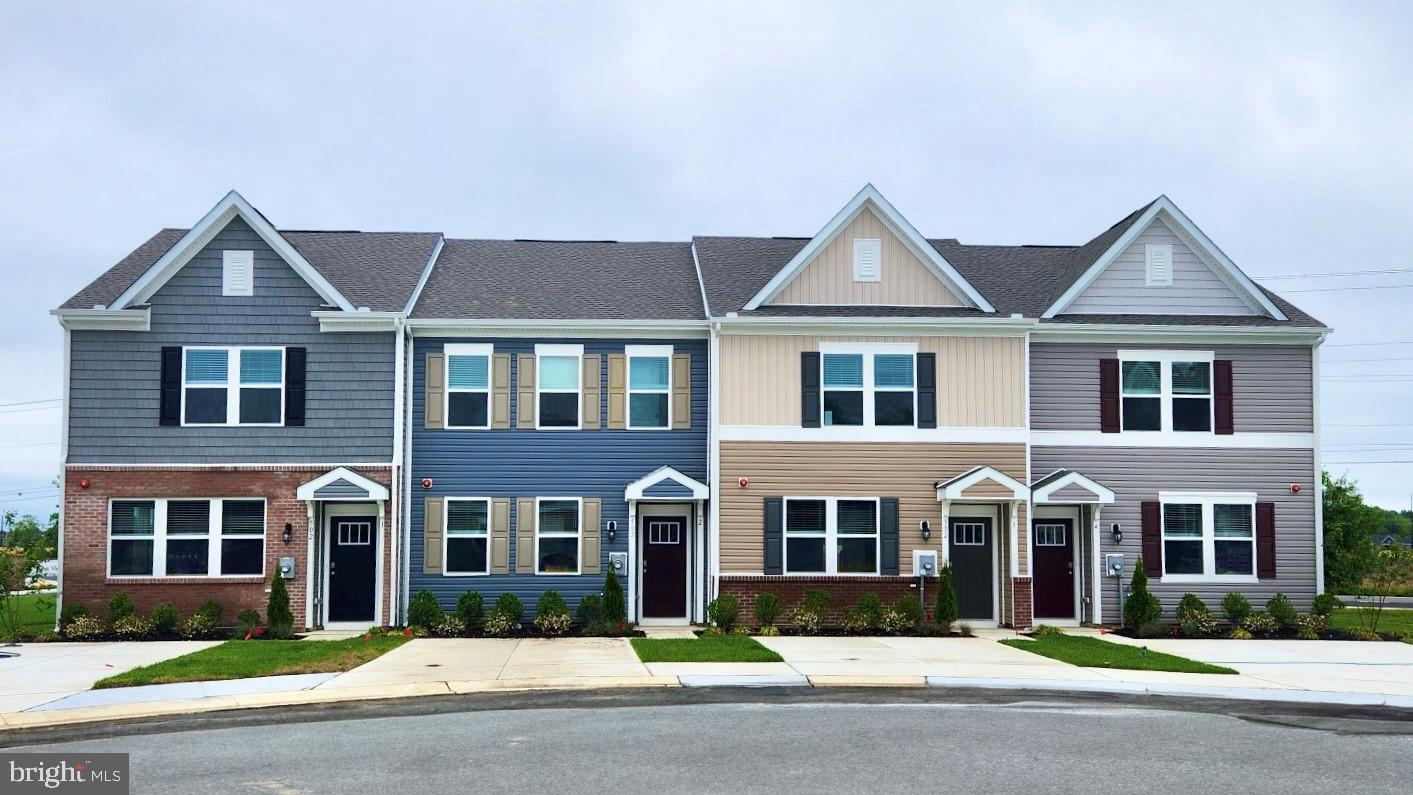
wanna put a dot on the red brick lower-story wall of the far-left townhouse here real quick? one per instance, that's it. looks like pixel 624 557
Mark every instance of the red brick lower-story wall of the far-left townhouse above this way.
pixel 85 536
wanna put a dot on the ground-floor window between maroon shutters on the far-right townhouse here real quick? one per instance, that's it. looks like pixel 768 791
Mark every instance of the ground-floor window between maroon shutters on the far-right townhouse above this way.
pixel 1209 536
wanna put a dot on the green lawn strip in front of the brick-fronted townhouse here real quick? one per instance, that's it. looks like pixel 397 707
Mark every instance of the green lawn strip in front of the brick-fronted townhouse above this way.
pixel 240 660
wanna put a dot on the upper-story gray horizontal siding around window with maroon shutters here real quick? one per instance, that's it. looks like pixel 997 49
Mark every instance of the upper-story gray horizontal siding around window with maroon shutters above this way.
pixel 1271 385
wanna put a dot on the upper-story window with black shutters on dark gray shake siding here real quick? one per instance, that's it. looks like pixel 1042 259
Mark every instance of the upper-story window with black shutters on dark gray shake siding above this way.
pixel 232 386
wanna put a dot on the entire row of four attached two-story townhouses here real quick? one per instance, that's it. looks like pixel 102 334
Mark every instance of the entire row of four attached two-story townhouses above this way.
pixel 375 414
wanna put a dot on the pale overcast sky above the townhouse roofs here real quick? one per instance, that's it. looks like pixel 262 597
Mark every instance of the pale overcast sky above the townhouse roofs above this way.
pixel 1284 131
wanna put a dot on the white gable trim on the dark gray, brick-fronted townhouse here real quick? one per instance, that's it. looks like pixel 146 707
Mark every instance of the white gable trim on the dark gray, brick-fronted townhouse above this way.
pixel 206 229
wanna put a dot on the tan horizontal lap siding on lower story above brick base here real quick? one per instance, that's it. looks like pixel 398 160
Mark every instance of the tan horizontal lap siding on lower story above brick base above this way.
pixel 844 470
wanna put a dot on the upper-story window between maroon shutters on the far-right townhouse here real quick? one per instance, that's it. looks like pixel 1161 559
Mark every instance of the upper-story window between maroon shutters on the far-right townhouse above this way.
pixel 1166 390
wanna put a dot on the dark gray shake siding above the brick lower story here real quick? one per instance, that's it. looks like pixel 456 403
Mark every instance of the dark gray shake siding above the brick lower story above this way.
pixel 115 376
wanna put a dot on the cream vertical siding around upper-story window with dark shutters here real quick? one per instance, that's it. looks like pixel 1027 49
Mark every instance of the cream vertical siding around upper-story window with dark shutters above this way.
pixel 981 382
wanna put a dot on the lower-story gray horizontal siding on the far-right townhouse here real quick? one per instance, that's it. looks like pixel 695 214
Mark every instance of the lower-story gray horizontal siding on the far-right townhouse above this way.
pixel 1140 474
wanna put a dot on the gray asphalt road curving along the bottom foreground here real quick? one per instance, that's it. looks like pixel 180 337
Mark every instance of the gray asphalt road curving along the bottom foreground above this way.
pixel 884 742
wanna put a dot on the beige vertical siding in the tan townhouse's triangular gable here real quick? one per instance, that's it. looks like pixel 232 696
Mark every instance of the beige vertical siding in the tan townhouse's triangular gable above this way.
pixel 829 279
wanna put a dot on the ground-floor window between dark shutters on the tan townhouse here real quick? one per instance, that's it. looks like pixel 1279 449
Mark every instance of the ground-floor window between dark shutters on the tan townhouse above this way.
pixel 827 536
